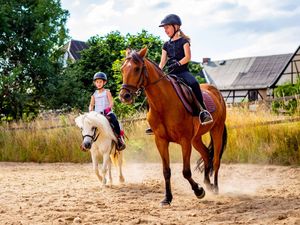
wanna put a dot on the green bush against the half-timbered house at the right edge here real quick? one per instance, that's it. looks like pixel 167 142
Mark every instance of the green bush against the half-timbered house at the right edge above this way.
pixel 289 106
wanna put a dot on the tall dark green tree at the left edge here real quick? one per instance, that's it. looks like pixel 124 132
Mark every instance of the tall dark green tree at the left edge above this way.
pixel 30 31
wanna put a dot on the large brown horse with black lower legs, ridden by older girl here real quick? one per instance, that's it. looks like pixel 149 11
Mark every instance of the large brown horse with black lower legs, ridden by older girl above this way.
pixel 171 122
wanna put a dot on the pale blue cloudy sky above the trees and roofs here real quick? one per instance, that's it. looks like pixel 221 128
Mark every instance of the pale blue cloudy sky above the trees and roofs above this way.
pixel 219 29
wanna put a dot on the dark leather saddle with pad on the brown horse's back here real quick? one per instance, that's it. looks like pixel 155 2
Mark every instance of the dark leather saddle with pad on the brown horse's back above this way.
pixel 188 98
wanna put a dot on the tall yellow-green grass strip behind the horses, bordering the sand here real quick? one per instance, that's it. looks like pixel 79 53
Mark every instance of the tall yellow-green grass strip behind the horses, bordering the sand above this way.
pixel 252 138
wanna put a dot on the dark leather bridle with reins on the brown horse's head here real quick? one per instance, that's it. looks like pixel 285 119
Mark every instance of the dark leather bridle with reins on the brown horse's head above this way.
pixel 139 88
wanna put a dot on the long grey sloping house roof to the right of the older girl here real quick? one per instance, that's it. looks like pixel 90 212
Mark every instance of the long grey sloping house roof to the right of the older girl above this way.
pixel 247 73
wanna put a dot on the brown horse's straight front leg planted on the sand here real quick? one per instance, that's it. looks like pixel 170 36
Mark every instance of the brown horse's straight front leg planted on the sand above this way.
pixel 163 148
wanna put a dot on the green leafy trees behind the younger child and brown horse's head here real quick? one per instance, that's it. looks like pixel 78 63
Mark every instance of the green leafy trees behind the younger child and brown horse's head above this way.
pixel 106 54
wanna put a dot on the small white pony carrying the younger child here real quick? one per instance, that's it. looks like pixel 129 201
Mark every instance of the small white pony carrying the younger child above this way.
pixel 99 138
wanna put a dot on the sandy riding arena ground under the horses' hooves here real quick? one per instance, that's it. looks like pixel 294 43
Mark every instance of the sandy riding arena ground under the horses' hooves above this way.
pixel 65 193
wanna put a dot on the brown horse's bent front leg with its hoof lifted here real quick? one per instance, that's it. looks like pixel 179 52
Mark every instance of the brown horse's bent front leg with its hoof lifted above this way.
pixel 187 174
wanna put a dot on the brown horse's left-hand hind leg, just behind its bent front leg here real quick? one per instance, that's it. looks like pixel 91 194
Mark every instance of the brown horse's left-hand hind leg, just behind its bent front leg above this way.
pixel 203 150
